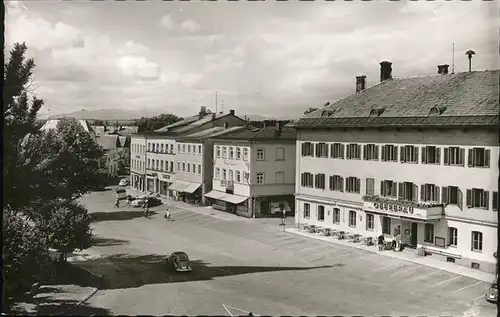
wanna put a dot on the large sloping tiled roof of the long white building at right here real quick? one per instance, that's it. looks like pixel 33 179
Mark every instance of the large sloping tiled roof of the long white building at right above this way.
pixel 454 95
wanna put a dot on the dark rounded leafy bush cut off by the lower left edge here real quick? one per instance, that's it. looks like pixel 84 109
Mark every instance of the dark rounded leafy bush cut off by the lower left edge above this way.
pixel 25 253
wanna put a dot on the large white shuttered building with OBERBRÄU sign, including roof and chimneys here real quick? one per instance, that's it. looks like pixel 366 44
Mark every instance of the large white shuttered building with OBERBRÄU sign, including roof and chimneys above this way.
pixel 420 153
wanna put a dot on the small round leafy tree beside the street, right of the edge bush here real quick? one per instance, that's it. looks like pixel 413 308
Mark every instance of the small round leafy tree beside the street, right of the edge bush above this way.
pixel 66 225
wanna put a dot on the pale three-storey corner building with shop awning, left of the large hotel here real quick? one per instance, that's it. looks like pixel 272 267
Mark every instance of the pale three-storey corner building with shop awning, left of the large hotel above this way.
pixel 254 171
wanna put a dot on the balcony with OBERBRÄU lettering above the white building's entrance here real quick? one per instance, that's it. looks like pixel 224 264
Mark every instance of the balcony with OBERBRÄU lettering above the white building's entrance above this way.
pixel 400 207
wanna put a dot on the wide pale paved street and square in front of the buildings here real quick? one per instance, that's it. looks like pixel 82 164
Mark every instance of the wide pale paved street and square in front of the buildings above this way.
pixel 251 265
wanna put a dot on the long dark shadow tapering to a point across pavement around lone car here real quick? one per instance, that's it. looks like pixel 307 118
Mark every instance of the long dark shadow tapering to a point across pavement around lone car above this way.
pixel 125 271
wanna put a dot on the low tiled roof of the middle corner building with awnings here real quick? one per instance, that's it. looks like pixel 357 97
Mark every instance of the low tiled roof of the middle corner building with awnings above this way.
pixel 267 133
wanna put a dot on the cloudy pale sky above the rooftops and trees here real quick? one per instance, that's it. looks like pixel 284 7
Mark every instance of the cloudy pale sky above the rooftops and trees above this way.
pixel 267 58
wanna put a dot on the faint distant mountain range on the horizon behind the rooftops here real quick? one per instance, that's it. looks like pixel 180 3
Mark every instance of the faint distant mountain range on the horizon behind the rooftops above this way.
pixel 117 114
